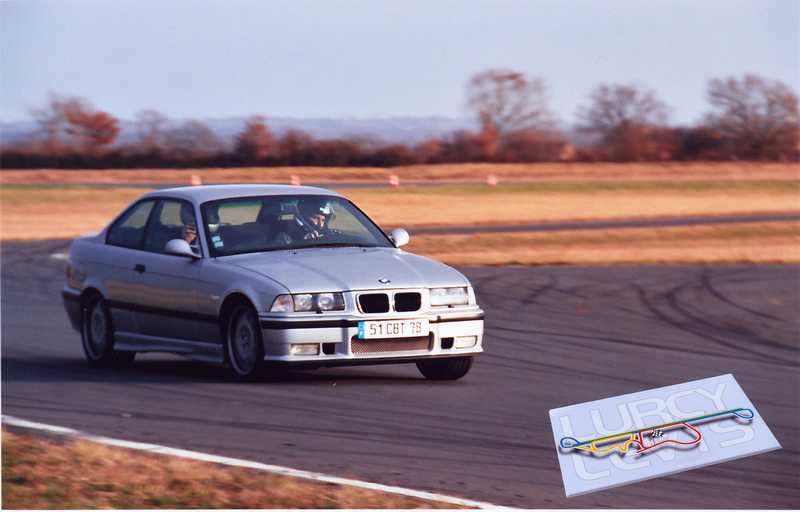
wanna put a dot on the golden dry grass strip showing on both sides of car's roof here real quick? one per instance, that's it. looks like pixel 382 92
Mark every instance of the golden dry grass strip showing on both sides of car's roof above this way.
pixel 33 212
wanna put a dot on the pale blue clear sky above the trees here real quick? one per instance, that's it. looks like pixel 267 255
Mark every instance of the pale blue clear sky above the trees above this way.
pixel 366 58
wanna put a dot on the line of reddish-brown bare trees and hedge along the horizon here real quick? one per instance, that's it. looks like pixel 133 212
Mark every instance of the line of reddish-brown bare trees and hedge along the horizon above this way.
pixel 748 118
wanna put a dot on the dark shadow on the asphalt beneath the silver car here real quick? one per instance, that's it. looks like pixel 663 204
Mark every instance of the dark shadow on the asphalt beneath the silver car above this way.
pixel 67 369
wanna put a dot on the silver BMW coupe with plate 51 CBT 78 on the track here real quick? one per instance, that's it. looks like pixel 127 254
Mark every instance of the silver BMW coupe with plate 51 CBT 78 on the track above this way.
pixel 247 275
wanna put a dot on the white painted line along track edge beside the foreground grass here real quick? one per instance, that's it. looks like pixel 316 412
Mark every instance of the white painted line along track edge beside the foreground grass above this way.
pixel 228 461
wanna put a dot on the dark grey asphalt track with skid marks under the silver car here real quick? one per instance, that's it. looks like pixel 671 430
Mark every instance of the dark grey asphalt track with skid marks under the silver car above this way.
pixel 554 336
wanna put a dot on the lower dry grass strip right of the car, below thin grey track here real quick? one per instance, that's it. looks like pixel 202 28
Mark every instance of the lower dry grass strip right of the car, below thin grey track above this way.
pixel 753 243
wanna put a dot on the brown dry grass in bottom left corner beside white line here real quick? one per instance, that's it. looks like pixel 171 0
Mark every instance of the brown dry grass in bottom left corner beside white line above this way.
pixel 41 473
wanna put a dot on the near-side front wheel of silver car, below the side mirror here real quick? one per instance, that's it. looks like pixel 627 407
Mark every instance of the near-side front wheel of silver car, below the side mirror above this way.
pixel 244 347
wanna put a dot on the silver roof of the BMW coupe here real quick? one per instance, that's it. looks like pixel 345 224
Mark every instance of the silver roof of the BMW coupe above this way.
pixel 201 194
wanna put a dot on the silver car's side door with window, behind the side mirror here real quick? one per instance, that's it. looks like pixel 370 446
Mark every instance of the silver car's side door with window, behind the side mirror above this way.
pixel 167 296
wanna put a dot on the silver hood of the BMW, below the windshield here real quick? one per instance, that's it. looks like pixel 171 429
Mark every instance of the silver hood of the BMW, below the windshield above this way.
pixel 349 268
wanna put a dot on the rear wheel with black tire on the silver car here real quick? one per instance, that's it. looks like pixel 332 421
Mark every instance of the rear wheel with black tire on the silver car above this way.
pixel 97 336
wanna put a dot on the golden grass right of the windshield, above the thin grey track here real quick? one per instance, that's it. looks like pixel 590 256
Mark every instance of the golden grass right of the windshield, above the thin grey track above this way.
pixel 554 201
